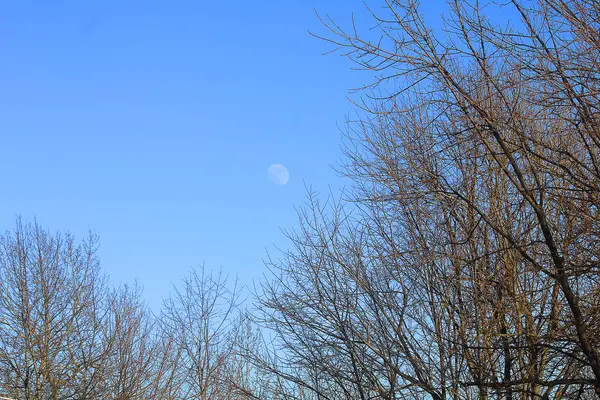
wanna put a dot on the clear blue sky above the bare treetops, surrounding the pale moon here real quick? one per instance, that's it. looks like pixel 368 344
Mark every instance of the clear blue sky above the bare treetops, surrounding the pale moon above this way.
pixel 153 124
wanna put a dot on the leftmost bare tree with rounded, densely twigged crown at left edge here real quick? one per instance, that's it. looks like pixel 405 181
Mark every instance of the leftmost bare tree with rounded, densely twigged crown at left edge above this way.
pixel 51 335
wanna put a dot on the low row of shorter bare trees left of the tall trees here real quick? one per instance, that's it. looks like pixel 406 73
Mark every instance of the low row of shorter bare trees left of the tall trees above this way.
pixel 64 334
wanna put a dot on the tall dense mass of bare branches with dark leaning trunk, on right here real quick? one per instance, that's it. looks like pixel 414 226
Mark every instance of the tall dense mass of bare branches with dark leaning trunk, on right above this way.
pixel 469 266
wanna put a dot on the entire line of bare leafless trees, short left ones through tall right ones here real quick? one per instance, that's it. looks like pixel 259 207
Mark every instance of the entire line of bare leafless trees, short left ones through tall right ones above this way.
pixel 462 263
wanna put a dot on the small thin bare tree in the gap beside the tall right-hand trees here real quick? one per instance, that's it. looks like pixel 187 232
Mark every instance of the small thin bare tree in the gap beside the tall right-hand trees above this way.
pixel 198 320
